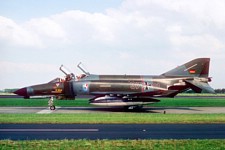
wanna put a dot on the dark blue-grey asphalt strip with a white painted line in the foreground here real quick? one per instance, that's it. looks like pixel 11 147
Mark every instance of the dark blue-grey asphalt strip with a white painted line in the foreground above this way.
pixel 111 131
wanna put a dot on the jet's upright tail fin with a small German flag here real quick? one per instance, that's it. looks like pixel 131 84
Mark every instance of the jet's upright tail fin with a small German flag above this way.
pixel 196 68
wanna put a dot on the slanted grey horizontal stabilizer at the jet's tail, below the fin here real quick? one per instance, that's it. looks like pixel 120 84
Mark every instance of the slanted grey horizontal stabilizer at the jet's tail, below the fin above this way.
pixel 199 86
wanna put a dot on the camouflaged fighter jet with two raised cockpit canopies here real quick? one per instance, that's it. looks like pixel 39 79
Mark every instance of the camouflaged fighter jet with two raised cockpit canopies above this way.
pixel 125 90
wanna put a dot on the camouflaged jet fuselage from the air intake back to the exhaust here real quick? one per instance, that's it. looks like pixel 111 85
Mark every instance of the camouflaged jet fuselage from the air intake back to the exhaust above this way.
pixel 134 85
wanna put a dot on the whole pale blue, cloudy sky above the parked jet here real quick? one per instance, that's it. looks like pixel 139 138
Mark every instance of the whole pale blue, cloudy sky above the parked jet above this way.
pixel 147 37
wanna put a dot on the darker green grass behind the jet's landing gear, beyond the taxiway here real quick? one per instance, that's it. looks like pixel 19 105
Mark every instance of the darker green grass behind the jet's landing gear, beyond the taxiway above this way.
pixel 174 102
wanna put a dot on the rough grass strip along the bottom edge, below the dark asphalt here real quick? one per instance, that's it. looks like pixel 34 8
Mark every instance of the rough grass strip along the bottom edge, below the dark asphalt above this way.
pixel 215 144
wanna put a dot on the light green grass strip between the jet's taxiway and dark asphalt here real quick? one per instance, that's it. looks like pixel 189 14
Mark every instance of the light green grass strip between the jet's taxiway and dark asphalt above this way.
pixel 112 118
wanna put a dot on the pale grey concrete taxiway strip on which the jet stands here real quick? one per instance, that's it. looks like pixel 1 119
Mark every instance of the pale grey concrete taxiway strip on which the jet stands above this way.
pixel 168 110
